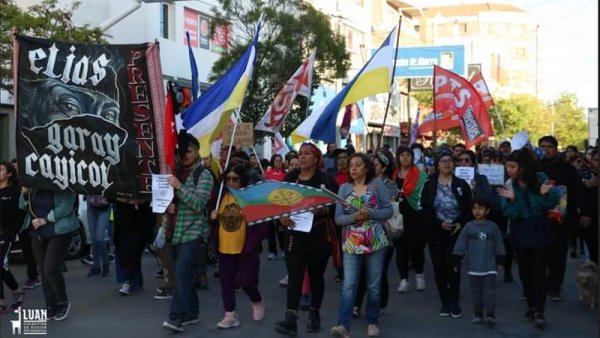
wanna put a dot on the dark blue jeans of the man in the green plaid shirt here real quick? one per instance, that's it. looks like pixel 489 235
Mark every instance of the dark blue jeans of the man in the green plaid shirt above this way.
pixel 184 304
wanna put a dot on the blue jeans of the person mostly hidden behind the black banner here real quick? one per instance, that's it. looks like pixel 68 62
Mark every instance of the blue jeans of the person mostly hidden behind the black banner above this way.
pixel 98 222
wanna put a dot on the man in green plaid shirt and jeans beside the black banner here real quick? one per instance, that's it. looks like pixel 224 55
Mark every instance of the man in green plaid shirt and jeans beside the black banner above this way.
pixel 191 227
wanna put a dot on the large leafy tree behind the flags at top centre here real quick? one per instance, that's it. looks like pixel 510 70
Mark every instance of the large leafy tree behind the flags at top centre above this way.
pixel 291 29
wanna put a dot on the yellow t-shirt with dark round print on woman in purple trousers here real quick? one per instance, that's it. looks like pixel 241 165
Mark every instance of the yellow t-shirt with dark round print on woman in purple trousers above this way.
pixel 232 226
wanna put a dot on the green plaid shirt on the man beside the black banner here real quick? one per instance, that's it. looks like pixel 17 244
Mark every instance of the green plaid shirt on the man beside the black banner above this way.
pixel 191 221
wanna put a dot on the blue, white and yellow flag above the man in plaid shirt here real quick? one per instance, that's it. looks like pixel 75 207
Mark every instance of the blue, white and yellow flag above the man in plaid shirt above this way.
pixel 207 116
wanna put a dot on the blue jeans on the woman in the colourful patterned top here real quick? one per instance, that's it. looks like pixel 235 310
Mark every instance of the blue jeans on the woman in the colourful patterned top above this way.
pixel 373 269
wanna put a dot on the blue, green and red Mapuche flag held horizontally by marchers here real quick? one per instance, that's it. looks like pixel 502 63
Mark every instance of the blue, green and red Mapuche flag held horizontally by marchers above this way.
pixel 269 200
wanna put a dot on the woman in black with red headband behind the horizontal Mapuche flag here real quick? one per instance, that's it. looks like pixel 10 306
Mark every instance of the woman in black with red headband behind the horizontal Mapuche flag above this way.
pixel 308 250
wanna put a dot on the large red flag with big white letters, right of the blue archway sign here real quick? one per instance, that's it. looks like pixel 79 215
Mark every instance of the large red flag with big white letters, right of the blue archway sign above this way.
pixel 455 95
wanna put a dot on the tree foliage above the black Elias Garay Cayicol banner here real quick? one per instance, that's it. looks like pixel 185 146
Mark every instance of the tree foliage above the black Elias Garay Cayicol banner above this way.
pixel 45 20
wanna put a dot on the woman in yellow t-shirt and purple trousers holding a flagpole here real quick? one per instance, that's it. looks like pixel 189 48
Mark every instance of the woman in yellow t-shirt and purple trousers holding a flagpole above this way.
pixel 239 248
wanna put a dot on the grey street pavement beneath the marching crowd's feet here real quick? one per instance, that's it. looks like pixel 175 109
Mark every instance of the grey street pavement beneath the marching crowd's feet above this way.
pixel 99 311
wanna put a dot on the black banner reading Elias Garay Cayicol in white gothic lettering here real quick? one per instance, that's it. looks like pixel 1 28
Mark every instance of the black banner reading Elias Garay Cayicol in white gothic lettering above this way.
pixel 89 117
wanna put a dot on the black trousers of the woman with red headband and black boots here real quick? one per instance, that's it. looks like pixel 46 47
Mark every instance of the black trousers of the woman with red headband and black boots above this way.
pixel 315 263
